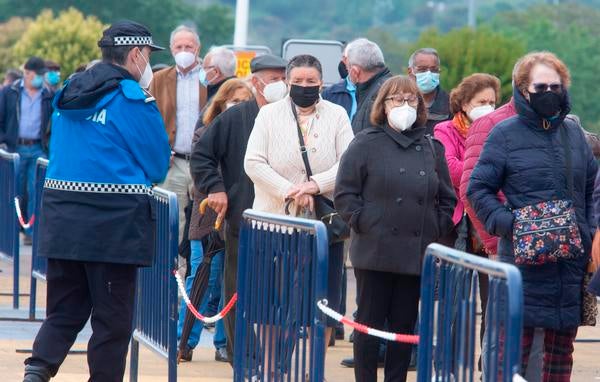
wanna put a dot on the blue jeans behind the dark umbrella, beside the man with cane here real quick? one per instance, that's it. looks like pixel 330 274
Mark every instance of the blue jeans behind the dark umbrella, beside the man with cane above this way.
pixel 214 285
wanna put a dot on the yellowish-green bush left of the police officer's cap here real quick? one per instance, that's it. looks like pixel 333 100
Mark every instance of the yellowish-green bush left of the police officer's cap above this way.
pixel 70 39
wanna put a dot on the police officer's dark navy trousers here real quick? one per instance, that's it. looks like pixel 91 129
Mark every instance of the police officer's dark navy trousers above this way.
pixel 76 290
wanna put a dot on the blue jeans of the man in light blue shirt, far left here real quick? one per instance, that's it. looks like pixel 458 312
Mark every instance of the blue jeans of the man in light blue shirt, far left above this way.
pixel 28 157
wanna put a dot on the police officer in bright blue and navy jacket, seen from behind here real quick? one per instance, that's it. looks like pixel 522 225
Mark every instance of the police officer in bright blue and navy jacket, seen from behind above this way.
pixel 108 147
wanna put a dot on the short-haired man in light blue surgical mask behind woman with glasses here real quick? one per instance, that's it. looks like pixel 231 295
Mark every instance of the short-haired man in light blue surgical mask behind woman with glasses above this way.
pixel 424 68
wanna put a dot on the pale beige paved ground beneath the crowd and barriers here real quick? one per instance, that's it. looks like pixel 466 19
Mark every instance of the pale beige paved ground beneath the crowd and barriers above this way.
pixel 16 339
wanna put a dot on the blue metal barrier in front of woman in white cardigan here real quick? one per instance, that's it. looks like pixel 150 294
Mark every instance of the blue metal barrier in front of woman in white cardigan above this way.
pixel 282 273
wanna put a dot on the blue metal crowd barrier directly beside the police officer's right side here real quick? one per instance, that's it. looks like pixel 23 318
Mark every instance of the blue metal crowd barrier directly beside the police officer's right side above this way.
pixel 155 319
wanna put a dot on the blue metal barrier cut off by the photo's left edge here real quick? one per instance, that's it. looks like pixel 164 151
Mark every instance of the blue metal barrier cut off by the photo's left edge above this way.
pixel 9 226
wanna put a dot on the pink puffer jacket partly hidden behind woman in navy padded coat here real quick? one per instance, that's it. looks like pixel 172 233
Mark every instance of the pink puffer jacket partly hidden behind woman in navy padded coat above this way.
pixel 478 133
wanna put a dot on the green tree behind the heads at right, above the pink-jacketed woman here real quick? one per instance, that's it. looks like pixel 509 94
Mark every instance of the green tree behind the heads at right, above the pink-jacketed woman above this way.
pixel 466 51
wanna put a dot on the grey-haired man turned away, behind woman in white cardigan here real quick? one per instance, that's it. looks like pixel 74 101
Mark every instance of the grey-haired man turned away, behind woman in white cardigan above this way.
pixel 366 69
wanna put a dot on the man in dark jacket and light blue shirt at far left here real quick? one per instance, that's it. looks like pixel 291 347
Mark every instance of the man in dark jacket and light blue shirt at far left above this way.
pixel 25 110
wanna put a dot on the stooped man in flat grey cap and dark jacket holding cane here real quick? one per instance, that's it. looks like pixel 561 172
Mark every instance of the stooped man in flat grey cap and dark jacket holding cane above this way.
pixel 229 189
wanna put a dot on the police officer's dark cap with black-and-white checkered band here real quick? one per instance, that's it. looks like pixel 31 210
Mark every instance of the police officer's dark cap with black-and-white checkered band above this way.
pixel 127 33
